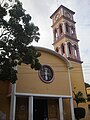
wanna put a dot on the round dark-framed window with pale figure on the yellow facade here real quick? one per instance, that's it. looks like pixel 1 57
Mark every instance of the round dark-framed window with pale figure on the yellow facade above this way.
pixel 46 74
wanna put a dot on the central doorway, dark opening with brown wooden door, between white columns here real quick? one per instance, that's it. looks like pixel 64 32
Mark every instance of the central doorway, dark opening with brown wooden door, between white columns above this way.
pixel 45 109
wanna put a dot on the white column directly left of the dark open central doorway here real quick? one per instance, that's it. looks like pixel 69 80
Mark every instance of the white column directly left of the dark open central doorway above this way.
pixel 30 116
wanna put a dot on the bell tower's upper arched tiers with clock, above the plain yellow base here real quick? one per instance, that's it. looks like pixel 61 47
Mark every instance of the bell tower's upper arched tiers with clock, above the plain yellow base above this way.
pixel 64 32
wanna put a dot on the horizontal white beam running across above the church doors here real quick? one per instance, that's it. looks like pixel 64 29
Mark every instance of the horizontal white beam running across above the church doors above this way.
pixel 43 95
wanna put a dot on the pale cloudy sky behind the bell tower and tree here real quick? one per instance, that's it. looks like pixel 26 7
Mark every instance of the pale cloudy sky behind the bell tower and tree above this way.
pixel 40 10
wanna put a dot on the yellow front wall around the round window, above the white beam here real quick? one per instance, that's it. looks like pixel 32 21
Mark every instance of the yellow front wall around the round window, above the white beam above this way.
pixel 33 84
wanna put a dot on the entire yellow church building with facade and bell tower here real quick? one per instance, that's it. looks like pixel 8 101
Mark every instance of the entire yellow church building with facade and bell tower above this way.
pixel 47 94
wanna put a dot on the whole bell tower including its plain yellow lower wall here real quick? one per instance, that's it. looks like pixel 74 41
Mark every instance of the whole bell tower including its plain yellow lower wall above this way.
pixel 66 44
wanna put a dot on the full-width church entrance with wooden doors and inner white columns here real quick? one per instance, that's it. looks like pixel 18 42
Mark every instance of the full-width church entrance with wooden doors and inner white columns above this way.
pixel 42 108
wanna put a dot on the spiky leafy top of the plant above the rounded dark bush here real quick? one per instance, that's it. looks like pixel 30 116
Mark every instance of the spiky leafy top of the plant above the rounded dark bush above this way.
pixel 78 97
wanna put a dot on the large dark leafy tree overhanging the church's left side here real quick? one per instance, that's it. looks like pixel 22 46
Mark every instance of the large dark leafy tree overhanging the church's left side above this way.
pixel 17 32
